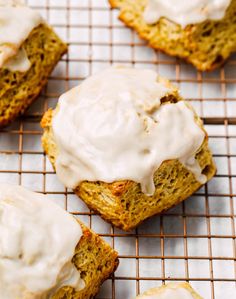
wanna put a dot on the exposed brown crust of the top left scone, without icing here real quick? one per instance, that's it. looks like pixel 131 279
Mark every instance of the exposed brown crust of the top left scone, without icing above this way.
pixel 17 90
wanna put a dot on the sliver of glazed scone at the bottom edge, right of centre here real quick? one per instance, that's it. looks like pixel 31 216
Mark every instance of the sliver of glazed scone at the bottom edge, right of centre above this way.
pixel 181 290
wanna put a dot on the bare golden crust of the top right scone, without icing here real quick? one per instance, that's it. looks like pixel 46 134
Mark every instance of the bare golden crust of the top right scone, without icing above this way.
pixel 205 45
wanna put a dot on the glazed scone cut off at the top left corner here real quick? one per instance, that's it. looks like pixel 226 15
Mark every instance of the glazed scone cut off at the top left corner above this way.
pixel 29 50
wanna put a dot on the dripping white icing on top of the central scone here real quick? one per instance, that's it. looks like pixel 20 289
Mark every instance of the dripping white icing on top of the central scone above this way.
pixel 112 128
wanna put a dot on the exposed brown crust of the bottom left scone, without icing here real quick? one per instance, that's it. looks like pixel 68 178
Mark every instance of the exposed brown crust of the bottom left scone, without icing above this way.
pixel 96 261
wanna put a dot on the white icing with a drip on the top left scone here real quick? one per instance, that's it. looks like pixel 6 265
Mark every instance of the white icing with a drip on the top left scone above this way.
pixel 16 23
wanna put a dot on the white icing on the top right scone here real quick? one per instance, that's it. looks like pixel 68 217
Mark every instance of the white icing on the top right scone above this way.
pixel 185 12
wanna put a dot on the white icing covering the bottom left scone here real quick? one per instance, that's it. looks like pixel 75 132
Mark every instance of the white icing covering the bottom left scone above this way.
pixel 37 243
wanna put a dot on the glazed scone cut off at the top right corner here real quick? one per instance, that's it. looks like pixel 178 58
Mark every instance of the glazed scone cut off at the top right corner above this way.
pixel 201 32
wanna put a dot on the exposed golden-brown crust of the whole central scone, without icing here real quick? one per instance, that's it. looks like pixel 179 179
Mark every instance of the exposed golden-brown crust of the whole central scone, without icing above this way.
pixel 122 203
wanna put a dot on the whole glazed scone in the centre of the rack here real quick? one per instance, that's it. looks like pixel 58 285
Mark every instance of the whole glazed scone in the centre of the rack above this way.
pixel 127 144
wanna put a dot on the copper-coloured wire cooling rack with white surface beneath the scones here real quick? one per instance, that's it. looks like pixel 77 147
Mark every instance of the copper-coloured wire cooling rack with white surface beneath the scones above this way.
pixel 194 241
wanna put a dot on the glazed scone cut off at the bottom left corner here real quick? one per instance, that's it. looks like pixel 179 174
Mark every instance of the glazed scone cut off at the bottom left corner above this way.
pixel 45 252
